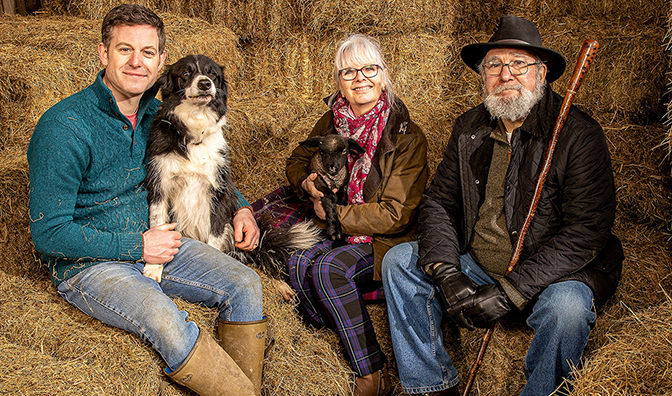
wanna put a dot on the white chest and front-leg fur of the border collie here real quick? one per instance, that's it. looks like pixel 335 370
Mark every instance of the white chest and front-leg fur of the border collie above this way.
pixel 189 182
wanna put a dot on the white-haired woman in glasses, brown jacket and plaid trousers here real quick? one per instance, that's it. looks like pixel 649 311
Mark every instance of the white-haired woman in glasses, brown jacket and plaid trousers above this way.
pixel 385 186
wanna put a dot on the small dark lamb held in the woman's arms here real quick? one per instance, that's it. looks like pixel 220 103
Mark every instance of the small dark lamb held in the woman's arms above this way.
pixel 330 162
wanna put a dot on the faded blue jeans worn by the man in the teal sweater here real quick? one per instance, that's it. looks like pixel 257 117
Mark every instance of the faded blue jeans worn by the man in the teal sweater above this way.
pixel 118 294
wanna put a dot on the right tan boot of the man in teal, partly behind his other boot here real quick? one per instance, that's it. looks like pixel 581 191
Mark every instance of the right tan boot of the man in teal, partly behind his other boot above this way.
pixel 245 342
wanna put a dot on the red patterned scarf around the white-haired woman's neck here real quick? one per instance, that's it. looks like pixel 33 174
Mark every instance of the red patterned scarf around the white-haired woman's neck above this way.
pixel 366 130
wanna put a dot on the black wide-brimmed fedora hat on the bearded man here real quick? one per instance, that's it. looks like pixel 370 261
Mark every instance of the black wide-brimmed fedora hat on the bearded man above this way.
pixel 516 32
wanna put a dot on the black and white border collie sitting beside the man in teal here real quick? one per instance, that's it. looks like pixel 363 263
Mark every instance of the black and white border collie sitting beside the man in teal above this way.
pixel 189 174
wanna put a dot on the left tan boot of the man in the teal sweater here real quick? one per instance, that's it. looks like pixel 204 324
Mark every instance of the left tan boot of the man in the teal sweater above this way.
pixel 210 371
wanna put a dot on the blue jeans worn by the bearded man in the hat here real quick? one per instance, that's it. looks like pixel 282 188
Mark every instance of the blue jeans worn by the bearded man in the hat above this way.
pixel 561 318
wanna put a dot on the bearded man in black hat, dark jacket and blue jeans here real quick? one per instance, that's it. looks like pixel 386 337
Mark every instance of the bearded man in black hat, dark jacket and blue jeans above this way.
pixel 470 216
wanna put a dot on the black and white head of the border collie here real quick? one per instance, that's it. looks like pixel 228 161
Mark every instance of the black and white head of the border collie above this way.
pixel 197 80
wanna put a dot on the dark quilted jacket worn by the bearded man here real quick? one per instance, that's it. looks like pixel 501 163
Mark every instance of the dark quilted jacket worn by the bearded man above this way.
pixel 570 237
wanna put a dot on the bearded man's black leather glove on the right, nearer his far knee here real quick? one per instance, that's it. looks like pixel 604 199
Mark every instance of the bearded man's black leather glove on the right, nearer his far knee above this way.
pixel 485 307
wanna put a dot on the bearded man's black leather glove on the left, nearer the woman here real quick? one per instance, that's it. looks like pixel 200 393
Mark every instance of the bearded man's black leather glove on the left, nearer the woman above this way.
pixel 453 286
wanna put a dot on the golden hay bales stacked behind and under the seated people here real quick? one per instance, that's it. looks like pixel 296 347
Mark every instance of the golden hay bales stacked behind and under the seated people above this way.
pixel 278 57
